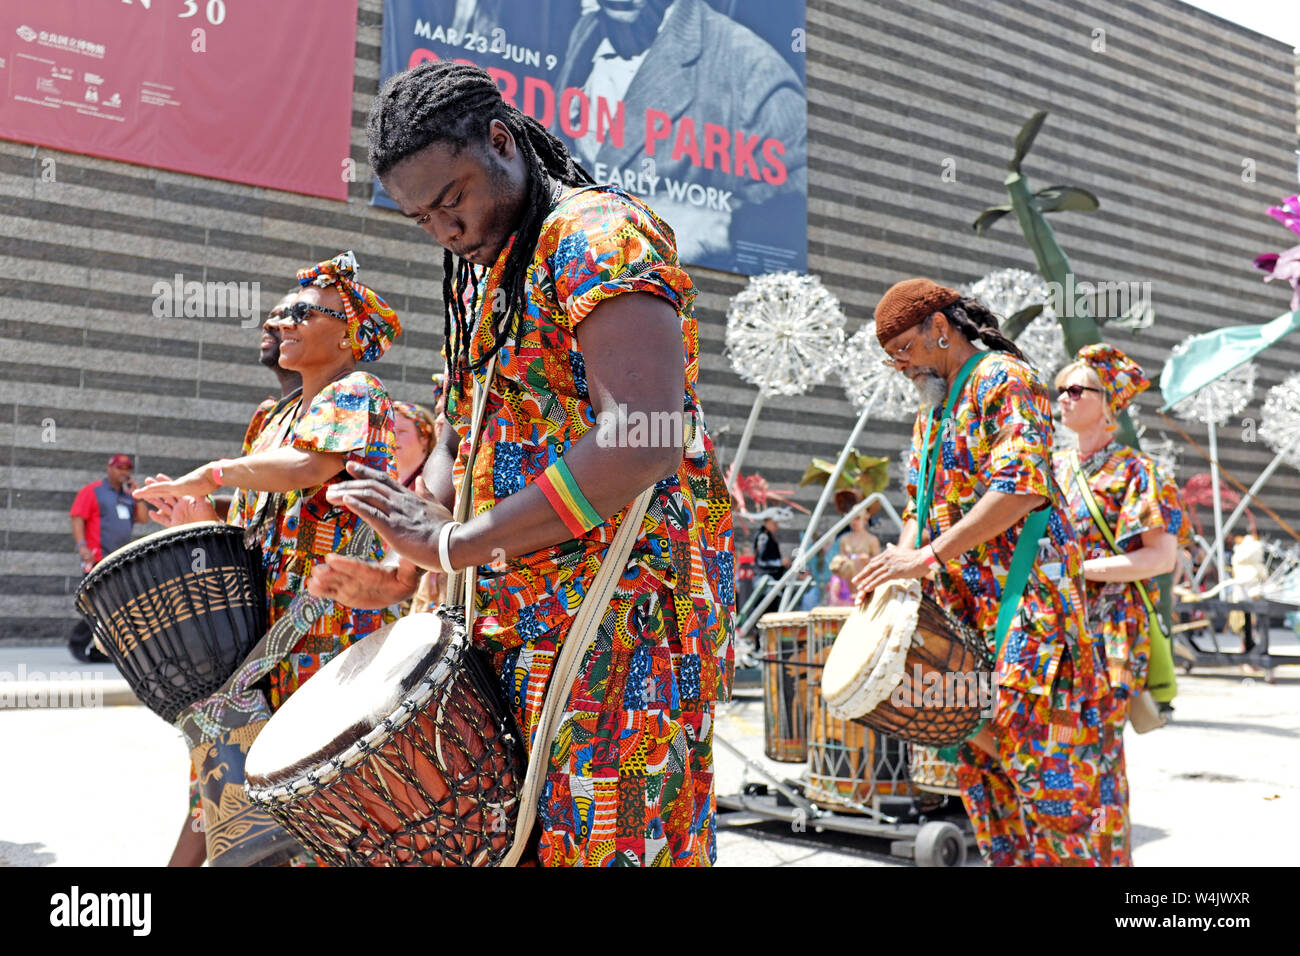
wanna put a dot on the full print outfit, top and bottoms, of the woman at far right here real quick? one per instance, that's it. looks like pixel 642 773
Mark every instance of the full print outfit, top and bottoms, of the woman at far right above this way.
pixel 1134 496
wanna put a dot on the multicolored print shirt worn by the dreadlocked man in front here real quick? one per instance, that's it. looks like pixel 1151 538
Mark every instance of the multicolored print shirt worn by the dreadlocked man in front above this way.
pixel 599 243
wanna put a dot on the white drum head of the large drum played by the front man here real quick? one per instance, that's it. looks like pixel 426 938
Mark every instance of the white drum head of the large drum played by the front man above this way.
pixel 348 698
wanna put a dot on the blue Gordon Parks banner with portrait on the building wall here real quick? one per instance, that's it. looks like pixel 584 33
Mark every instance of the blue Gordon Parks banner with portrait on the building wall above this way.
pixel 695 106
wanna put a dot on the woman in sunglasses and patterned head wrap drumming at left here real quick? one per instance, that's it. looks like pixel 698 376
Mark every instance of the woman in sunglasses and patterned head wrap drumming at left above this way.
pixel 341 416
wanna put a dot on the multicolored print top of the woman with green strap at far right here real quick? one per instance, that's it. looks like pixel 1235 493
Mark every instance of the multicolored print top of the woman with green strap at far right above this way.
pixel 1134 496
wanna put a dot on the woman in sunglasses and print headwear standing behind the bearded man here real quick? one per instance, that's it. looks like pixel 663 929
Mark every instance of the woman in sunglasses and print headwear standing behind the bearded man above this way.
pixel 1145 517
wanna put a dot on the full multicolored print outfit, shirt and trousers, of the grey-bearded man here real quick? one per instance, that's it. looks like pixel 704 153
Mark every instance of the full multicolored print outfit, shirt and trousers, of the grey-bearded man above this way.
pixel 1034 804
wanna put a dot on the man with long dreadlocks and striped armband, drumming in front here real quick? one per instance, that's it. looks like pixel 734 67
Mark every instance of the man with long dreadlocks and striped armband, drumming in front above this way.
pixel 578 293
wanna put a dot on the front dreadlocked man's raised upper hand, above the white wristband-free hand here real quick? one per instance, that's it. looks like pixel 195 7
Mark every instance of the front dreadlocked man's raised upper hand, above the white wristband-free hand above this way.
pixel 408 522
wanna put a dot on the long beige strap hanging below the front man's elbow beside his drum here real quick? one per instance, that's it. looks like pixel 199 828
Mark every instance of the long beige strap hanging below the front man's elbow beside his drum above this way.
pixel 569 663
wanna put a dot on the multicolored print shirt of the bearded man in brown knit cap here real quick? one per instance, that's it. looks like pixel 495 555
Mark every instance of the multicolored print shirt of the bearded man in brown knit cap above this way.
pixel 1000 440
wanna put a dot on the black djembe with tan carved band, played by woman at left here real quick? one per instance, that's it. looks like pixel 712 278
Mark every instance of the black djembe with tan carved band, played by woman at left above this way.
pixel 177 612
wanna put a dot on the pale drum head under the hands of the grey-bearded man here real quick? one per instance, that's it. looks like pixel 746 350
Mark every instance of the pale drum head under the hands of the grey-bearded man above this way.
pixel 868 659
